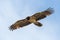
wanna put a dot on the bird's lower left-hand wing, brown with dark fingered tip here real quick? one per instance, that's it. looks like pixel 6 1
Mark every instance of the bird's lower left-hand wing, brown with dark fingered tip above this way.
pixel 19 23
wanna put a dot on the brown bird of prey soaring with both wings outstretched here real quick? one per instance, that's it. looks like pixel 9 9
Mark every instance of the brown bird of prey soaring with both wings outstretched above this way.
pixel 32 19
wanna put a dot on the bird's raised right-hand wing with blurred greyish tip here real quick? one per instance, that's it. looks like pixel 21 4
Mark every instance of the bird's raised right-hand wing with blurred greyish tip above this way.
pixel 41 15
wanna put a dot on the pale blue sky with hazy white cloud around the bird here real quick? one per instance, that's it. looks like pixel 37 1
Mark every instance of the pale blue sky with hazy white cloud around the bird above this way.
pixel 13 10
